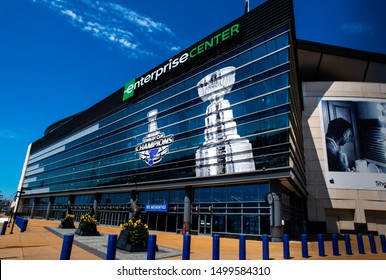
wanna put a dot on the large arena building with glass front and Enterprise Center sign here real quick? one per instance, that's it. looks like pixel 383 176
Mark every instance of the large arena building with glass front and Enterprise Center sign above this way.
pixel 207 140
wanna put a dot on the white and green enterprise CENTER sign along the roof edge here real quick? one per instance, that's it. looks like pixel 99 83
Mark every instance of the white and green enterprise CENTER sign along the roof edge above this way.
pixel 173 63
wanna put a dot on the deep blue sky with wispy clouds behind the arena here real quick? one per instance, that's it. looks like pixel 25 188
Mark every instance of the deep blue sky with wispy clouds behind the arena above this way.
pixel 59 57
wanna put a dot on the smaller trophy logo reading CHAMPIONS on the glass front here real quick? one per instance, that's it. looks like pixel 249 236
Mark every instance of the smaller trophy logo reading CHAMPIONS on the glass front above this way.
pixel 155 145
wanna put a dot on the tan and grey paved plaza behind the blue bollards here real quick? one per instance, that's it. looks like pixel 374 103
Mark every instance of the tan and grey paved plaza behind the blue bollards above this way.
pixel 43 241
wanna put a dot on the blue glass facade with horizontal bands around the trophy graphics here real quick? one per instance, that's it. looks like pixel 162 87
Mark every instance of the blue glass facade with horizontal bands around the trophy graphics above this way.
pixel 105 153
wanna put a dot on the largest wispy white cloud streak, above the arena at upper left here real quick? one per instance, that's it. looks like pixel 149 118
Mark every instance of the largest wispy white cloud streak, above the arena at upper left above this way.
pixel 135 34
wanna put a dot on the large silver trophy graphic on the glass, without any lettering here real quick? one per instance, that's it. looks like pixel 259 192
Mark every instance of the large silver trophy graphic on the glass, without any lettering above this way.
pixel 223 151
